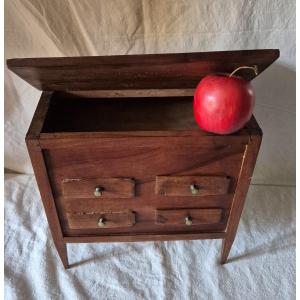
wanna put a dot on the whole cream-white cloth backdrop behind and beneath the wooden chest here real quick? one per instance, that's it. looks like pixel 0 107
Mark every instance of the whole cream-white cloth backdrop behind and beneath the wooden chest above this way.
pixel 36 28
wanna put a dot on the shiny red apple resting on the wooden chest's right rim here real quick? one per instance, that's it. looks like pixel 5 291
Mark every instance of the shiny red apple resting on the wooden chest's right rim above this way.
pixel 223 104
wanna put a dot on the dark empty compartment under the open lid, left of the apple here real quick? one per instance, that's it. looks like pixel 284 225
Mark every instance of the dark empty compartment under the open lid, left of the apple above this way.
pixel 119 114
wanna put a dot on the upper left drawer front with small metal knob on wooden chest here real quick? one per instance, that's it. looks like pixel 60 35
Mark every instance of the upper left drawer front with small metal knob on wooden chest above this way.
pixel 98 187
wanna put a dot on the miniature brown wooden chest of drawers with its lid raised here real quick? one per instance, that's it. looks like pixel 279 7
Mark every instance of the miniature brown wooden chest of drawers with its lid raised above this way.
pixel 118 156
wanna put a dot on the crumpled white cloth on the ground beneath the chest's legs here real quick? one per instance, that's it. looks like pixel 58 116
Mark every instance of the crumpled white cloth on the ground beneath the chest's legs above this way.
pixel 261 265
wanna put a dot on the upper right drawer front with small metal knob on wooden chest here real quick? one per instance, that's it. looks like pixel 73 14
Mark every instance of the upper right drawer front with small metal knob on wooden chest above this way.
pixel 191 185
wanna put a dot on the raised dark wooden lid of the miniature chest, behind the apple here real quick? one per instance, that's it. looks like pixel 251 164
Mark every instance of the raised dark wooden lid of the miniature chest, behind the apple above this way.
pixel 135 72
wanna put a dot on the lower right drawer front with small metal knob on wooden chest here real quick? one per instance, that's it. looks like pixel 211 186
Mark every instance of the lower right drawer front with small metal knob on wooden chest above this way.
pixel 194 216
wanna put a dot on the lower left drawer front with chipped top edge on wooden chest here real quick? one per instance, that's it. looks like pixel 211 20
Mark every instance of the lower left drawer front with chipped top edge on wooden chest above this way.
pixel 101 220
